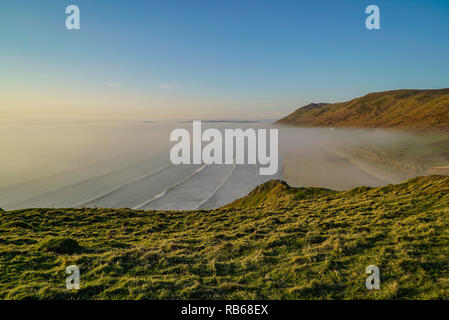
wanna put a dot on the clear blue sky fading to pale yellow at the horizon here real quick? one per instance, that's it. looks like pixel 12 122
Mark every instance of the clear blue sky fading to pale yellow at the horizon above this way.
pixel 215 59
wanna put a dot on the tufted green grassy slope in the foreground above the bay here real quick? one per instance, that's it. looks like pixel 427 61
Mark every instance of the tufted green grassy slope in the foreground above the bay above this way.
pixel 278 242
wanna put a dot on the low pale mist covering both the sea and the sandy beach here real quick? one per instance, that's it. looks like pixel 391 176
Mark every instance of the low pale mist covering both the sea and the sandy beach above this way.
pixel 126 164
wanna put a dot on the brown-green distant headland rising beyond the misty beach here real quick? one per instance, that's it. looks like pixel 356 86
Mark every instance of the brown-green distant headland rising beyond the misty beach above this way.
pixel 409 109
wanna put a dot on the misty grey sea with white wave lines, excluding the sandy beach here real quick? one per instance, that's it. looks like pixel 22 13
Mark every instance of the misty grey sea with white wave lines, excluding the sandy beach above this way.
pixel 112 165
